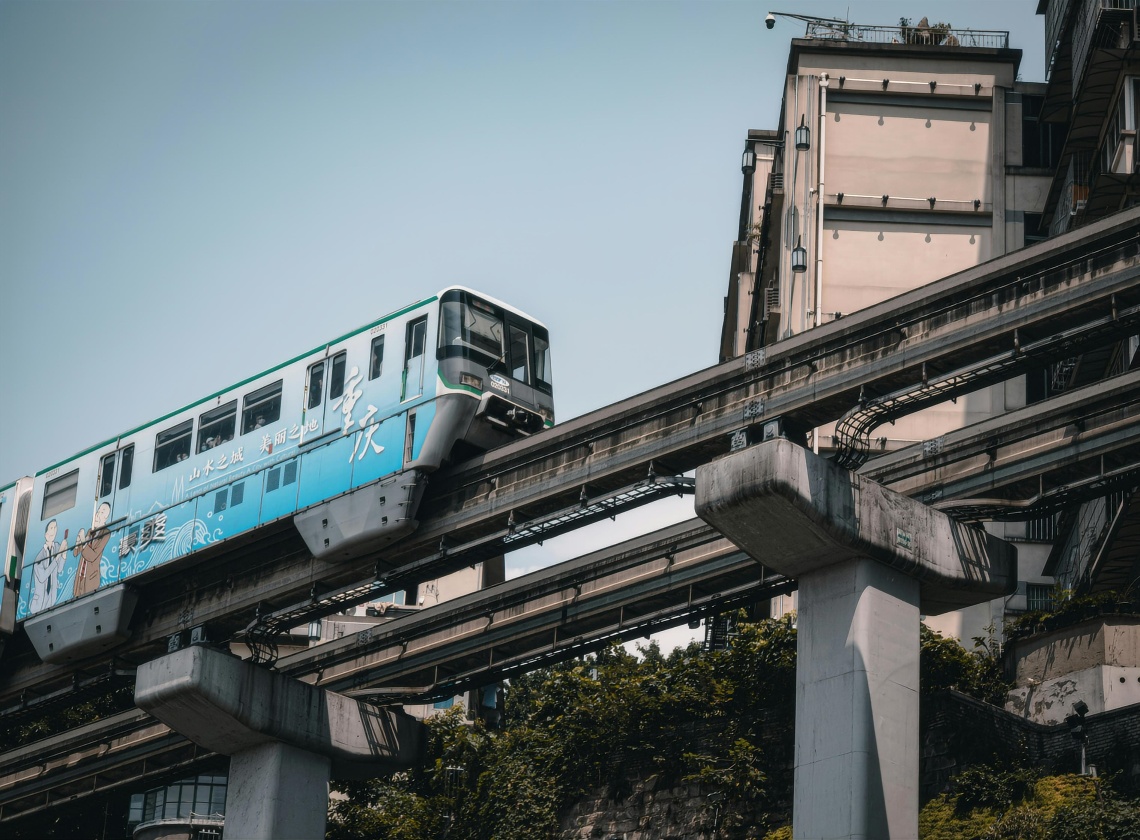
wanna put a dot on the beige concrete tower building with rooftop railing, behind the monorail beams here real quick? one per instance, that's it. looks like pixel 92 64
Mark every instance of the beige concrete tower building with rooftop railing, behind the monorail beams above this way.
pixel 902 154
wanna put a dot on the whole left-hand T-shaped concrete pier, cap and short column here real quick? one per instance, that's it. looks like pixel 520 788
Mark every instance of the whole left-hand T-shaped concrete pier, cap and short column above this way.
pixel 287 739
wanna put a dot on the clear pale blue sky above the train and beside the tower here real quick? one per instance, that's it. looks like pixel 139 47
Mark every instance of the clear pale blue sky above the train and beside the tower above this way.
pixel 191 193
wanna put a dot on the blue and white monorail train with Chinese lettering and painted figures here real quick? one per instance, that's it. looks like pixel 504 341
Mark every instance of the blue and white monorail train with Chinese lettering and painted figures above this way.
pixel 340 439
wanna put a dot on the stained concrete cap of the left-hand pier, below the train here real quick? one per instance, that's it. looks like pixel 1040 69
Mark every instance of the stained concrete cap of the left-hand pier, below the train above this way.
pixel 231 706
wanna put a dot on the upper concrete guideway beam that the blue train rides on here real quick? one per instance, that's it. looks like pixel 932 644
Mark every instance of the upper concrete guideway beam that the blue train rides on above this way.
pixel 1016 300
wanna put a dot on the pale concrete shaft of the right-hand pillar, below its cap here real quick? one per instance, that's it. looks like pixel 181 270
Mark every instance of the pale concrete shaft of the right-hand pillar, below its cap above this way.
pixel 857 703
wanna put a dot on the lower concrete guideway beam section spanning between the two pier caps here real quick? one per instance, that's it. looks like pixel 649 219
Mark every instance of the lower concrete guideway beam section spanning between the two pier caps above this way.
pixel 652 583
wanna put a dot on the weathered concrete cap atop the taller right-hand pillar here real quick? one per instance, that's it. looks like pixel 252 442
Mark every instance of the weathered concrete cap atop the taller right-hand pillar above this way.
pixel 796 512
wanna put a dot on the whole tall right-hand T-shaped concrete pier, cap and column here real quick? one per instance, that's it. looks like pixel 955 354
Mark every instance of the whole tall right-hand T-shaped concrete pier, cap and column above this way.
pixel 868 561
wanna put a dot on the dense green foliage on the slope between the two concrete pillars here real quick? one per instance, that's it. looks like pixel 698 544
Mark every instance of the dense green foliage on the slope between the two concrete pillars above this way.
pixel 591 724
